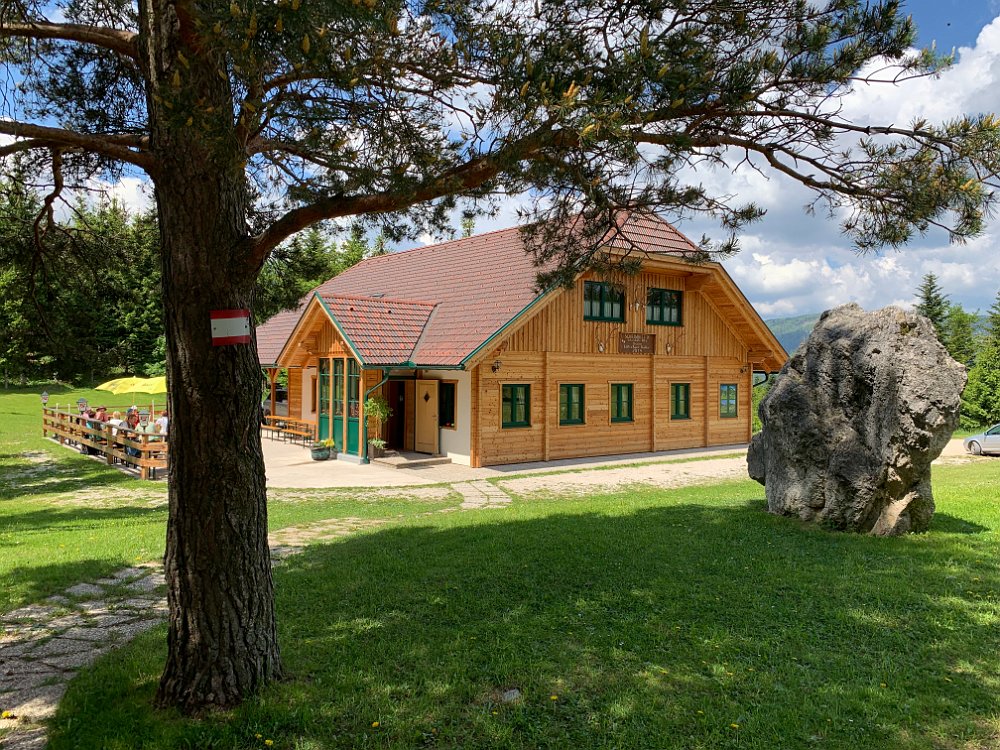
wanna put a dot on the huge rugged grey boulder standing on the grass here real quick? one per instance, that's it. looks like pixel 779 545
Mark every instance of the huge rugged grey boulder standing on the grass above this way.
pixel 854 421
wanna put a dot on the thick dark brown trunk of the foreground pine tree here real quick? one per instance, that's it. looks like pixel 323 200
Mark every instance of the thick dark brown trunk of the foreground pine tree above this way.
pixel 222 639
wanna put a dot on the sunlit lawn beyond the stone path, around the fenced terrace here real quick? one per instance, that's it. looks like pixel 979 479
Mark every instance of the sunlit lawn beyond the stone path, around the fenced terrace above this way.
pixel 66 518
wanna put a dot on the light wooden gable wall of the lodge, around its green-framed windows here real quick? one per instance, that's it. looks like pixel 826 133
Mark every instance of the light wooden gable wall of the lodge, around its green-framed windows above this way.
pixel 558 346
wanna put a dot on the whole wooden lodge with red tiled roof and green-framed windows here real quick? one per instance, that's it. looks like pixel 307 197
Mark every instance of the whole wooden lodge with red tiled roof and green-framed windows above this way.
pixel 480 367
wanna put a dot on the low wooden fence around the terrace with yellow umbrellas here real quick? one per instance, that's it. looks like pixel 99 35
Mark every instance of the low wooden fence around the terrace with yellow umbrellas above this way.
pixel 147 453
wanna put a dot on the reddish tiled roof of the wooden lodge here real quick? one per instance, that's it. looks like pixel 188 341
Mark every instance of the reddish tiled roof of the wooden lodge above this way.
pixel 476 285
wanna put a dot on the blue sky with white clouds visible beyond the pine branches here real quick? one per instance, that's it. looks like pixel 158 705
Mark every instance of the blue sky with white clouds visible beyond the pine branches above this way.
pixel 792 263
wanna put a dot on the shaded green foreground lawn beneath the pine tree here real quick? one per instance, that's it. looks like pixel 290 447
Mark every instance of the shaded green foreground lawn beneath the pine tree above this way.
pixel 681 626
